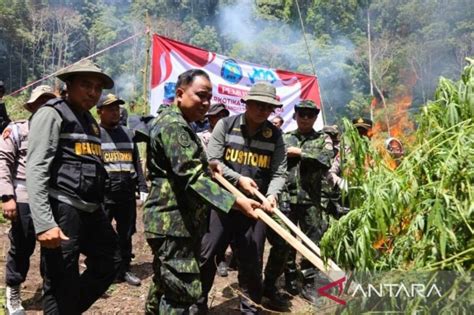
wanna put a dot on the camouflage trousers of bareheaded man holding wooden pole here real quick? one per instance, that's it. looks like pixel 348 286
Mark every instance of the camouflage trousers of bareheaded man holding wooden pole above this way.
pixel 176 283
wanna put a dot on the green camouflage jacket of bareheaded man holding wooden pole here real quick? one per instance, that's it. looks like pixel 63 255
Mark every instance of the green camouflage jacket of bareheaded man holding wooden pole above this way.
pixel 182 192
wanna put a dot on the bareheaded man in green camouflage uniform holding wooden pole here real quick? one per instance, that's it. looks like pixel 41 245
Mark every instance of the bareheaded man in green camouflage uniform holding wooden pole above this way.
pixel 176 211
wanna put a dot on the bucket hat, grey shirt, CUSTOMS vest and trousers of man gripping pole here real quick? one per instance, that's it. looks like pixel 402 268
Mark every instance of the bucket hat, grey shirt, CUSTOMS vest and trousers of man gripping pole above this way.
pixel 261 157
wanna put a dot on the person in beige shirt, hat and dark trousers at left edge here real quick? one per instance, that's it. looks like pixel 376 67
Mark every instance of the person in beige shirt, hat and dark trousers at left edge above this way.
pixel 13 148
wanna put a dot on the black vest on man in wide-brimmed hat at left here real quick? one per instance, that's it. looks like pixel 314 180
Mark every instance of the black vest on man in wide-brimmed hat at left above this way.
pixel 77 169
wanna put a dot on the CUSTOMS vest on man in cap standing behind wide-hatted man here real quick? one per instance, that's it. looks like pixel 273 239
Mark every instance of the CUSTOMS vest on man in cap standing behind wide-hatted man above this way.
pixel 117 154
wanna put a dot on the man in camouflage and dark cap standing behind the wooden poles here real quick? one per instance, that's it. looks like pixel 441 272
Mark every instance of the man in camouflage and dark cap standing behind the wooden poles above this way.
pixel 309 157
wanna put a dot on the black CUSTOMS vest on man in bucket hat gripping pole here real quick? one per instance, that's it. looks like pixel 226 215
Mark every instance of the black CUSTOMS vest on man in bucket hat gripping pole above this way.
pixel 247 156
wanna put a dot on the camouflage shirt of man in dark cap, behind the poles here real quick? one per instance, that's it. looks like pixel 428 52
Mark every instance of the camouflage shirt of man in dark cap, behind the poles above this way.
pixel 305 172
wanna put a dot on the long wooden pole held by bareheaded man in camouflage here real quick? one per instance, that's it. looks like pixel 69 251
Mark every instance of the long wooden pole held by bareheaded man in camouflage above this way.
pixel 300 247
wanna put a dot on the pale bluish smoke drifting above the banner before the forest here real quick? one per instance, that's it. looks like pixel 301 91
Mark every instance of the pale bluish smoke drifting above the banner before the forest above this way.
pixel 275 43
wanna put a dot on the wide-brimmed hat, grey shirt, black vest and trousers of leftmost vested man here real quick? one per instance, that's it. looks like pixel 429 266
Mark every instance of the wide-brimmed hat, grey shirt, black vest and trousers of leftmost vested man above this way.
pixel 65 181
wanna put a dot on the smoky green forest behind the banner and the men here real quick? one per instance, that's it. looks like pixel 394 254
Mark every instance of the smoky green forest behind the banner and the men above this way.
pixel 412 44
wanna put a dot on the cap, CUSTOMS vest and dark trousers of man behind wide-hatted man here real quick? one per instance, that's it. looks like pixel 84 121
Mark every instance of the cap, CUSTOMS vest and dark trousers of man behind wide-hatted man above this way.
pixel 122 163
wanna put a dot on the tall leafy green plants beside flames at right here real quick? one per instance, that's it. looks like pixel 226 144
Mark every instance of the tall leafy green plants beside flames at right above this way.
pixel 421 215
